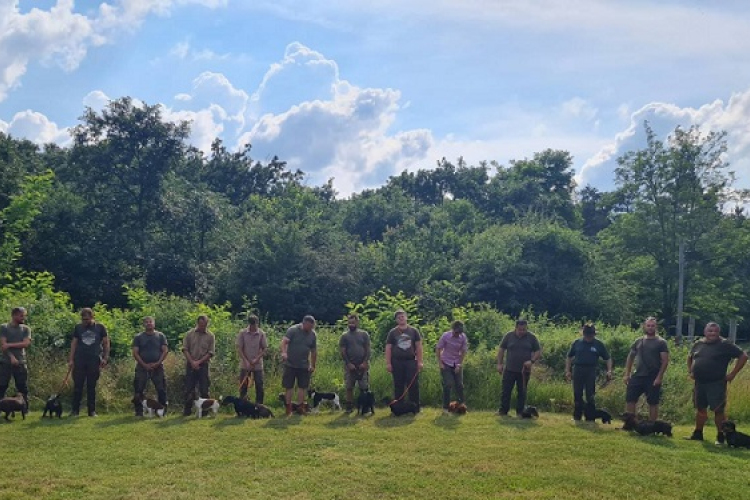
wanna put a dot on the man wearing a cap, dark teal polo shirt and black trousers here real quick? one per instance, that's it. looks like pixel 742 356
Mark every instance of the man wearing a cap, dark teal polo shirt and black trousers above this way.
pixel 584 355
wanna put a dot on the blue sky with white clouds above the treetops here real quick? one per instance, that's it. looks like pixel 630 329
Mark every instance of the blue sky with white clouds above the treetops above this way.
pixel 359 91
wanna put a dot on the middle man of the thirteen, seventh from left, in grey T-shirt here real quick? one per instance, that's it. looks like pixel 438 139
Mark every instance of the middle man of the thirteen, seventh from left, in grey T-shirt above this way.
pixel 355 351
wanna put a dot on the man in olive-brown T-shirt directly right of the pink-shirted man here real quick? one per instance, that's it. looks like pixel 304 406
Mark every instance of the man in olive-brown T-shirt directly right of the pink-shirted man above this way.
pixel 523 351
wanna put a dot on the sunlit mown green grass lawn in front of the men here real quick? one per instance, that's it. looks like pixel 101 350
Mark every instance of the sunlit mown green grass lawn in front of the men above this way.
pixel 337 456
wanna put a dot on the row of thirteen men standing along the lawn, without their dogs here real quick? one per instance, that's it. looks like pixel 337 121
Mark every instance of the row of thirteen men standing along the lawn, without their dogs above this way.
pixel 519 350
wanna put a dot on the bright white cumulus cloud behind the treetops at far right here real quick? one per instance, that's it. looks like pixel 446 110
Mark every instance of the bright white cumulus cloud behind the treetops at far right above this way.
pixel 732 117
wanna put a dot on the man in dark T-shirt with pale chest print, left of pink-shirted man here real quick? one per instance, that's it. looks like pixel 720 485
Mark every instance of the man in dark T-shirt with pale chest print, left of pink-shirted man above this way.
pixel 403 358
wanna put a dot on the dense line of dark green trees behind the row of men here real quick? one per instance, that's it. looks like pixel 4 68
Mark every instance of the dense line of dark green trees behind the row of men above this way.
pixel 130 203
